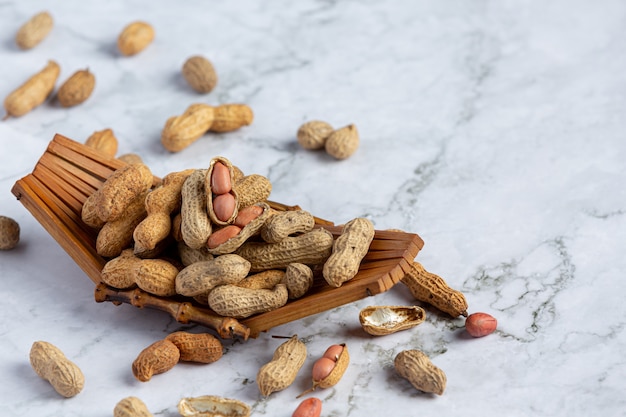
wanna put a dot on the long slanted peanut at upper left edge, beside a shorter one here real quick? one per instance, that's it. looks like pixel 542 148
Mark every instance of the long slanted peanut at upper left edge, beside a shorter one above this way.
pixel 33 92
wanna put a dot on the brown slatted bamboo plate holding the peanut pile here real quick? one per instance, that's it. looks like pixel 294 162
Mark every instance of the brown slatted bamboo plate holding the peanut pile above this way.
pixel 68 172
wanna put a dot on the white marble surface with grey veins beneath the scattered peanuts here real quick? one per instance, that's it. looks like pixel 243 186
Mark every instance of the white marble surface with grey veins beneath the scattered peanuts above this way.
pixel 493 129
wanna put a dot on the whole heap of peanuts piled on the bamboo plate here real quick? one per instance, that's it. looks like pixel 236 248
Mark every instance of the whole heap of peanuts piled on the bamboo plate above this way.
pixel 210 235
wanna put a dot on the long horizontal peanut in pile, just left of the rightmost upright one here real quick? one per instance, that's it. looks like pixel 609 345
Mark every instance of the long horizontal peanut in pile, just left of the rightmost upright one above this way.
pixel 309 248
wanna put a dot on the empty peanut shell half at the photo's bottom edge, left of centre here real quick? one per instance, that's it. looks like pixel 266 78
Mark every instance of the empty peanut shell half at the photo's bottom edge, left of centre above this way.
pixel 212 406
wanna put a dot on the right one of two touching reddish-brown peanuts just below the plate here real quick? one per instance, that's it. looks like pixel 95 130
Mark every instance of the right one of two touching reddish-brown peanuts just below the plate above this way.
pixel 200 347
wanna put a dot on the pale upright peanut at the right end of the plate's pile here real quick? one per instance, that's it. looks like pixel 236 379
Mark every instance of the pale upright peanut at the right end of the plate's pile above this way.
pixel 349 249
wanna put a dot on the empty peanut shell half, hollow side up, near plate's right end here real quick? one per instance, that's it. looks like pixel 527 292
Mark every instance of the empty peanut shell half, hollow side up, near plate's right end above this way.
pixel 383 320
